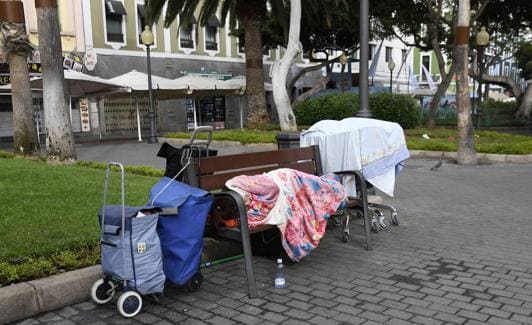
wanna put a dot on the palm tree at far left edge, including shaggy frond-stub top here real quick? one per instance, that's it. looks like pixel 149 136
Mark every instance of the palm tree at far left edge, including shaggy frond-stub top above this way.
pixel 16 47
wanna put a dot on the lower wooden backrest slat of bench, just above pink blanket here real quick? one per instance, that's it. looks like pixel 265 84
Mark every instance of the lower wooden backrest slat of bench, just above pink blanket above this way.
pixel 217 181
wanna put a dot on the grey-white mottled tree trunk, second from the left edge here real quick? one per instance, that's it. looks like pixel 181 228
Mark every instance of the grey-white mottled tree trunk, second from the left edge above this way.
pixel 60 139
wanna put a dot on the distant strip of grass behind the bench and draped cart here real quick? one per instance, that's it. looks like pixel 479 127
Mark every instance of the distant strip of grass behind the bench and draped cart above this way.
pixel 440 139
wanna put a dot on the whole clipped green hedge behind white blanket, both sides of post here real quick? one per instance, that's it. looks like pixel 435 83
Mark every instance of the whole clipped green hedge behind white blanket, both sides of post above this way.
pixel 402 109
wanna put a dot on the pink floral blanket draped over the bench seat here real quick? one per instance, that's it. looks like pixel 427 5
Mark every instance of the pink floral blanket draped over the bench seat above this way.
pixel 299 204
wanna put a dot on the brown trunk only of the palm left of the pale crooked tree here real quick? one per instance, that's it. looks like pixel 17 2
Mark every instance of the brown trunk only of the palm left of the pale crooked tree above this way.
pixel 257 113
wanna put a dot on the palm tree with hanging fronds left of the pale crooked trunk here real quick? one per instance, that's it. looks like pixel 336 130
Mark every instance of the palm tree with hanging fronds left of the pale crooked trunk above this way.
pixel 250 14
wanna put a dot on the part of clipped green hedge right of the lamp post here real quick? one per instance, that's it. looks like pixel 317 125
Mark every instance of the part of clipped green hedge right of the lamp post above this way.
pixel 401 109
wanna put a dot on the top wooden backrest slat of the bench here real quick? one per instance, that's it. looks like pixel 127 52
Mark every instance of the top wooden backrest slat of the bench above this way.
pixel 253 159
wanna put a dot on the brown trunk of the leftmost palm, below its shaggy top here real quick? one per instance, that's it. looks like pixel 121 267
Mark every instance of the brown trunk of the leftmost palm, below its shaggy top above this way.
pixel 24 133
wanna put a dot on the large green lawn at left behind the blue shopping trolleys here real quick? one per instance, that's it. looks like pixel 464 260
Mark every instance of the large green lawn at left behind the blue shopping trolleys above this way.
pixel 49 215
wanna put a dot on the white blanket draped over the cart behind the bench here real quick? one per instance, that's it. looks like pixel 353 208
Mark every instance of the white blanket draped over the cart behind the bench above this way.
pixel 374 147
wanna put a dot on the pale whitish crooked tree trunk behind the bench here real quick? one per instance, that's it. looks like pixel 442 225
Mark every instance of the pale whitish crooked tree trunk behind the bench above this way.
pixel 280 68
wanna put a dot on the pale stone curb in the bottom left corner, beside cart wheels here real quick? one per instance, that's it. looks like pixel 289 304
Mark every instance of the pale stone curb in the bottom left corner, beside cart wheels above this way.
pixel 27 299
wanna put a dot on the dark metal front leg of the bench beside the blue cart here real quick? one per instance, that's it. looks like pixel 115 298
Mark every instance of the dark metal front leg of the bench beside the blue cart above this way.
pixel 246 244
